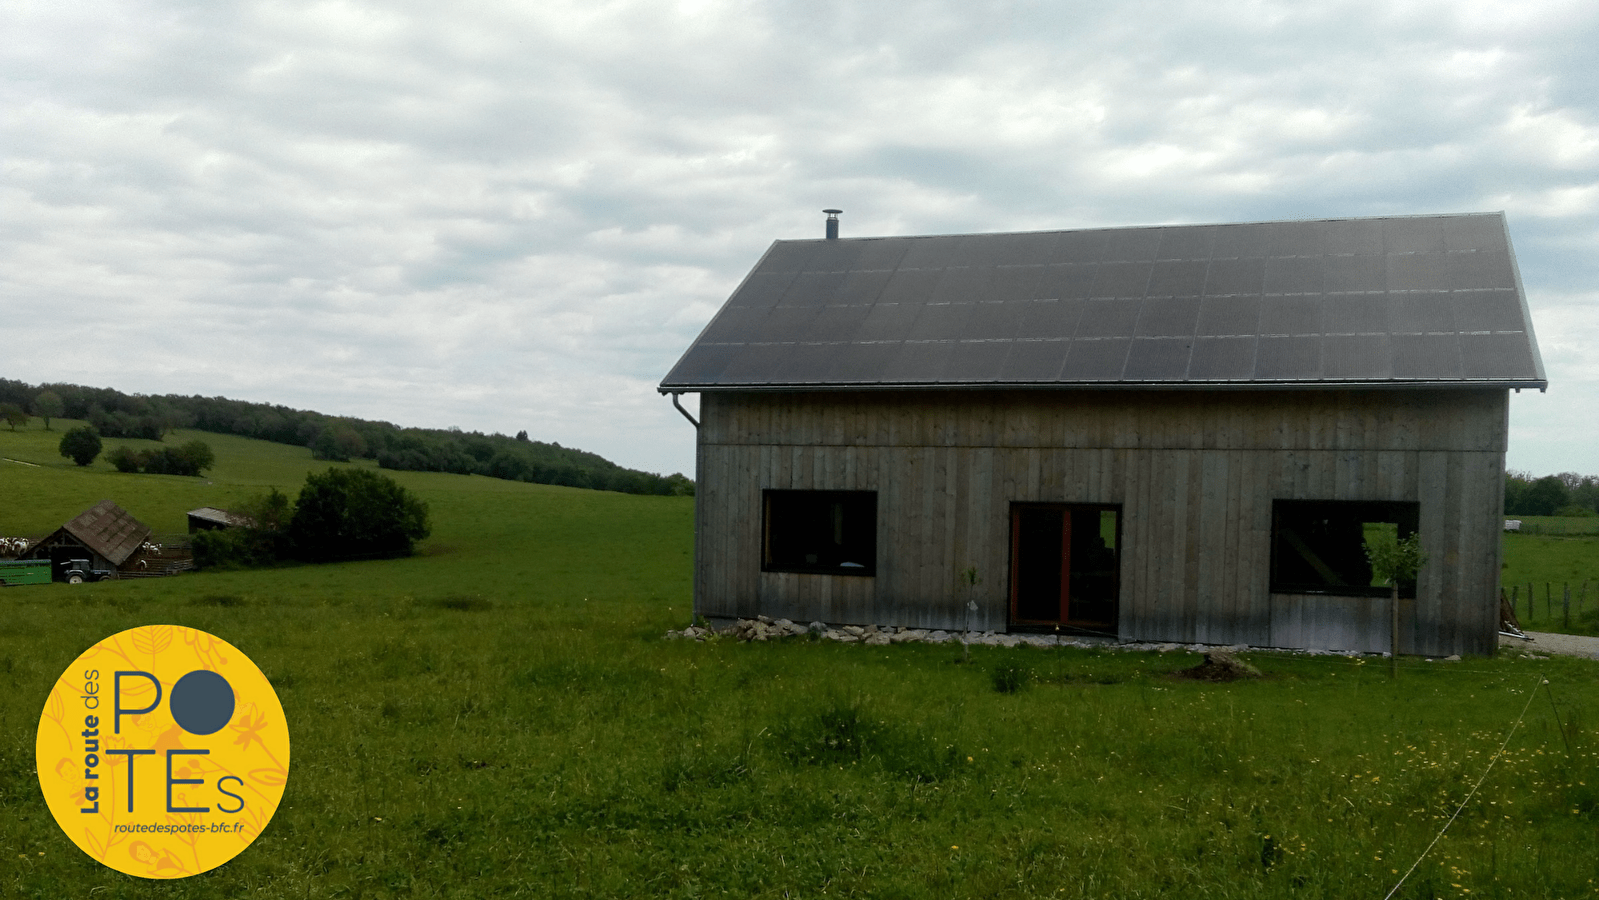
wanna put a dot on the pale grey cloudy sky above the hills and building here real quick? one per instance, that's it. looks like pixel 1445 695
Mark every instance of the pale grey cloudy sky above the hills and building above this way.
pixel 519 215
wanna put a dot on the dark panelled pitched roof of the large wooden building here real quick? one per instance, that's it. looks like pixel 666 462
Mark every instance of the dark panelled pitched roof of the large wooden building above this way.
pixel 1381 301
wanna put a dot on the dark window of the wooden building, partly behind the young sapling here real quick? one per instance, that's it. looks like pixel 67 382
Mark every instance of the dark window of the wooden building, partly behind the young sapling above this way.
pixel 1320 546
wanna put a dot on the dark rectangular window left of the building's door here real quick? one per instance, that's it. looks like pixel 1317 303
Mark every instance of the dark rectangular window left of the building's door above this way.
pixel 821 532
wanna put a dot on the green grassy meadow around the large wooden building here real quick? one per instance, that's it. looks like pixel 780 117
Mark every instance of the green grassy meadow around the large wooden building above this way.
pixel 501 717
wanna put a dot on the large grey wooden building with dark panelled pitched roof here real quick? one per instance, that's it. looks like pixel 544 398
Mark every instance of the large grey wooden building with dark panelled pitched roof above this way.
pixel 1166 434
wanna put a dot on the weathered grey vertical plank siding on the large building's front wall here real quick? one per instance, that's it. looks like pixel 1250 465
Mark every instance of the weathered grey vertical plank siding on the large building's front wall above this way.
pixel 1195 476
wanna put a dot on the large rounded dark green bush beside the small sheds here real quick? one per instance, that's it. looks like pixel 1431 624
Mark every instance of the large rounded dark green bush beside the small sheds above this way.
pixel 349 514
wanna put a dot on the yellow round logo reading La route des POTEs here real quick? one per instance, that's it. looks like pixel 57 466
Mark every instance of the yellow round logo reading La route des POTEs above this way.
pixel 162 752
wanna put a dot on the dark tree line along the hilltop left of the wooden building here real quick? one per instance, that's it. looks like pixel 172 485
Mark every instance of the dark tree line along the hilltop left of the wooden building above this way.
pixel 116 415
